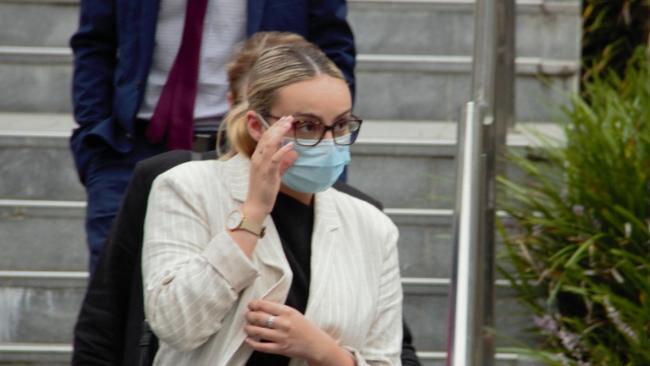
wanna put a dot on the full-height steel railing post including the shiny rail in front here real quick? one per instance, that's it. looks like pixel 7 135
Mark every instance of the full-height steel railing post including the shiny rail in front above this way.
pixel 481 134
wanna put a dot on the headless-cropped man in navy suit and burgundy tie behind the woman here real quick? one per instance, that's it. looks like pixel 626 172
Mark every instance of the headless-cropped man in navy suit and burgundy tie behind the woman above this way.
pixel 145 81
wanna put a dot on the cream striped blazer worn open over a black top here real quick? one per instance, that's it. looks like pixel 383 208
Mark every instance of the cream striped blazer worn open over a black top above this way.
pixel 198 283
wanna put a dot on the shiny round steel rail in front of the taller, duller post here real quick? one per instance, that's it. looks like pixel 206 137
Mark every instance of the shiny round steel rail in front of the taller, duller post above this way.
pixel 465 345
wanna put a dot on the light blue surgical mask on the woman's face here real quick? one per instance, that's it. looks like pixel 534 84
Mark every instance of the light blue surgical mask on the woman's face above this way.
pixel 317 167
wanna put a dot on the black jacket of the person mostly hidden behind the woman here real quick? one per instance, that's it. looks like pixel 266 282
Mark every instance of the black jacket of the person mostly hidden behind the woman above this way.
pixel 110 323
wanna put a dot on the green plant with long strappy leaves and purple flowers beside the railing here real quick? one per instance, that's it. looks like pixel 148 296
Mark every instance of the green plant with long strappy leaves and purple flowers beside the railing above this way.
pixel 577 240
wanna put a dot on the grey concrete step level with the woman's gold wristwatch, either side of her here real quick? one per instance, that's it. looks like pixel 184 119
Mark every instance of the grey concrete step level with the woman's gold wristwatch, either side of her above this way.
pixel 55 230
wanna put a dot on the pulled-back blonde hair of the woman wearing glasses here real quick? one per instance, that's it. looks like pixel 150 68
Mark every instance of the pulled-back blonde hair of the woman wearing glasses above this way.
pixel 274 68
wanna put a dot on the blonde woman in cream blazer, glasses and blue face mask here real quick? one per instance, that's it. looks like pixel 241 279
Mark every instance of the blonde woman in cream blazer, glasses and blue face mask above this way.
pixel 254 260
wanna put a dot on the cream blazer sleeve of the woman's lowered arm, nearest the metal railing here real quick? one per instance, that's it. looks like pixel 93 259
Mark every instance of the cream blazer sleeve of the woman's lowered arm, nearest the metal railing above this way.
pixel 384 342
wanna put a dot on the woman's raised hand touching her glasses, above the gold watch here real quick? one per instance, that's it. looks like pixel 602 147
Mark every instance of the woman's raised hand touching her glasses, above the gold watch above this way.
pixel 269 161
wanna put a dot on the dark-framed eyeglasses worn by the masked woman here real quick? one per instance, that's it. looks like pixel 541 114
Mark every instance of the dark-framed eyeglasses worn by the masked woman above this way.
pixel 309 132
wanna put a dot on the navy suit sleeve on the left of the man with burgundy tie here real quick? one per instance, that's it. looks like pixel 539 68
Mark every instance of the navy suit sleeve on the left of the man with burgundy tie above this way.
pixel 95 52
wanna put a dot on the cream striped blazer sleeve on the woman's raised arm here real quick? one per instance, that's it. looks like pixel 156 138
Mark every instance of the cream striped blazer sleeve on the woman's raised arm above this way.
pixel 191 280
